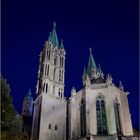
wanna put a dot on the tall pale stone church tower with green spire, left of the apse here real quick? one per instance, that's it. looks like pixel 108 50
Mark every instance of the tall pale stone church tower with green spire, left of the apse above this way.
pixel 49 118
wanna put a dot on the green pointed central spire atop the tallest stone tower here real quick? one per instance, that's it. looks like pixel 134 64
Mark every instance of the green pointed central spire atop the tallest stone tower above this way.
pixel 53 36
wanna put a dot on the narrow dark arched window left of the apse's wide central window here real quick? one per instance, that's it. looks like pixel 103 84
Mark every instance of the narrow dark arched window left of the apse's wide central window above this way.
pixel 83 117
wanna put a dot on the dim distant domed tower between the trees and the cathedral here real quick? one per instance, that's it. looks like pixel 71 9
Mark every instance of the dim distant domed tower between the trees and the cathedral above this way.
pixel 27 115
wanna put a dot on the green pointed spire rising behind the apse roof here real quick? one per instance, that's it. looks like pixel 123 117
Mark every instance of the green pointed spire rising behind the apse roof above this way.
pixel 91 62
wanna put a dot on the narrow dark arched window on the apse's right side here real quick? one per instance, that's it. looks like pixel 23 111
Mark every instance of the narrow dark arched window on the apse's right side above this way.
pixel 117 117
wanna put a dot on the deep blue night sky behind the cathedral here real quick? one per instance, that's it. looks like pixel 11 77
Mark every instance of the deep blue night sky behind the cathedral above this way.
pixel 109 27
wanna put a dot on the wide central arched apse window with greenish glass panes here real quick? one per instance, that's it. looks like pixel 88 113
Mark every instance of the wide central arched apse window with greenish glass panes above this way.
pixel 101 116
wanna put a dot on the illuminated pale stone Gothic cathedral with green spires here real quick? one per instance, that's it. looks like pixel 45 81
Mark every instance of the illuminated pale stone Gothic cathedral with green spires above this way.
pixel 99 111
